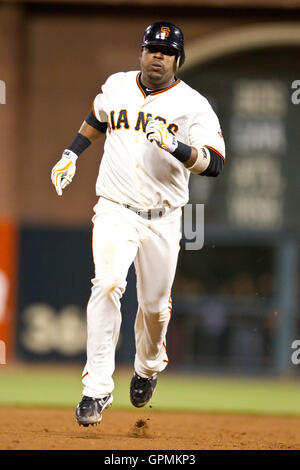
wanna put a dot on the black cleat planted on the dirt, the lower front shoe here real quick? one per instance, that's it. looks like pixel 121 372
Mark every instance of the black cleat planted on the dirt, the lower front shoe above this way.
pixel 89 410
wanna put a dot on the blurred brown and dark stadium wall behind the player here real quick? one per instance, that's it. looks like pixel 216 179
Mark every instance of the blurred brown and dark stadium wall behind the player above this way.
pixel 236 301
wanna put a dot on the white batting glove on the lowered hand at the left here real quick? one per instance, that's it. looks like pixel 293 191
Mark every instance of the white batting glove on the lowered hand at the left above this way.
pixel 64 170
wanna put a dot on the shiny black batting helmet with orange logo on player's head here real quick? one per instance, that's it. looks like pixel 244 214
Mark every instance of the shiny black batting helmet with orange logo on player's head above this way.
pixel 165 34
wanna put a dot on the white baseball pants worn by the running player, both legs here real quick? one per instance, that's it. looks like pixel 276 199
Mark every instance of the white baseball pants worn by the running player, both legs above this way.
pixel 121 237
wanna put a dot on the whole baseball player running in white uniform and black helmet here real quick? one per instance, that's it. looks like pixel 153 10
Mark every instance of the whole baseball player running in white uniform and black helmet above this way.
pixel 158 131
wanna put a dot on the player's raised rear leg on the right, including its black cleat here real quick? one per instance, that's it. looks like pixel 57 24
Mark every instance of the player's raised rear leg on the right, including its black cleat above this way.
pixel 155 265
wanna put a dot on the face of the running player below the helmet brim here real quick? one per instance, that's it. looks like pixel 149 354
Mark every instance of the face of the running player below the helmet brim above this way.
pixel 158 64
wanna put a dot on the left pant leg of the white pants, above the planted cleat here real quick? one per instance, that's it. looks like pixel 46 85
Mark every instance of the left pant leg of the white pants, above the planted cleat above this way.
pixel 114 249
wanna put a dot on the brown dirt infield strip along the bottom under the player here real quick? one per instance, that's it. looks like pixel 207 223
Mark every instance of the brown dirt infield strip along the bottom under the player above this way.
pixel 47 429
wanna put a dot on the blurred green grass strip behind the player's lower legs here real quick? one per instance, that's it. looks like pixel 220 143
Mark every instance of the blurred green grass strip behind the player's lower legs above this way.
pixel 60 386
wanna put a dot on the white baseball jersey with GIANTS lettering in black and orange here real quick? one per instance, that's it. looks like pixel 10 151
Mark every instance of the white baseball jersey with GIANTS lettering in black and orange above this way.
pixel 133 170
